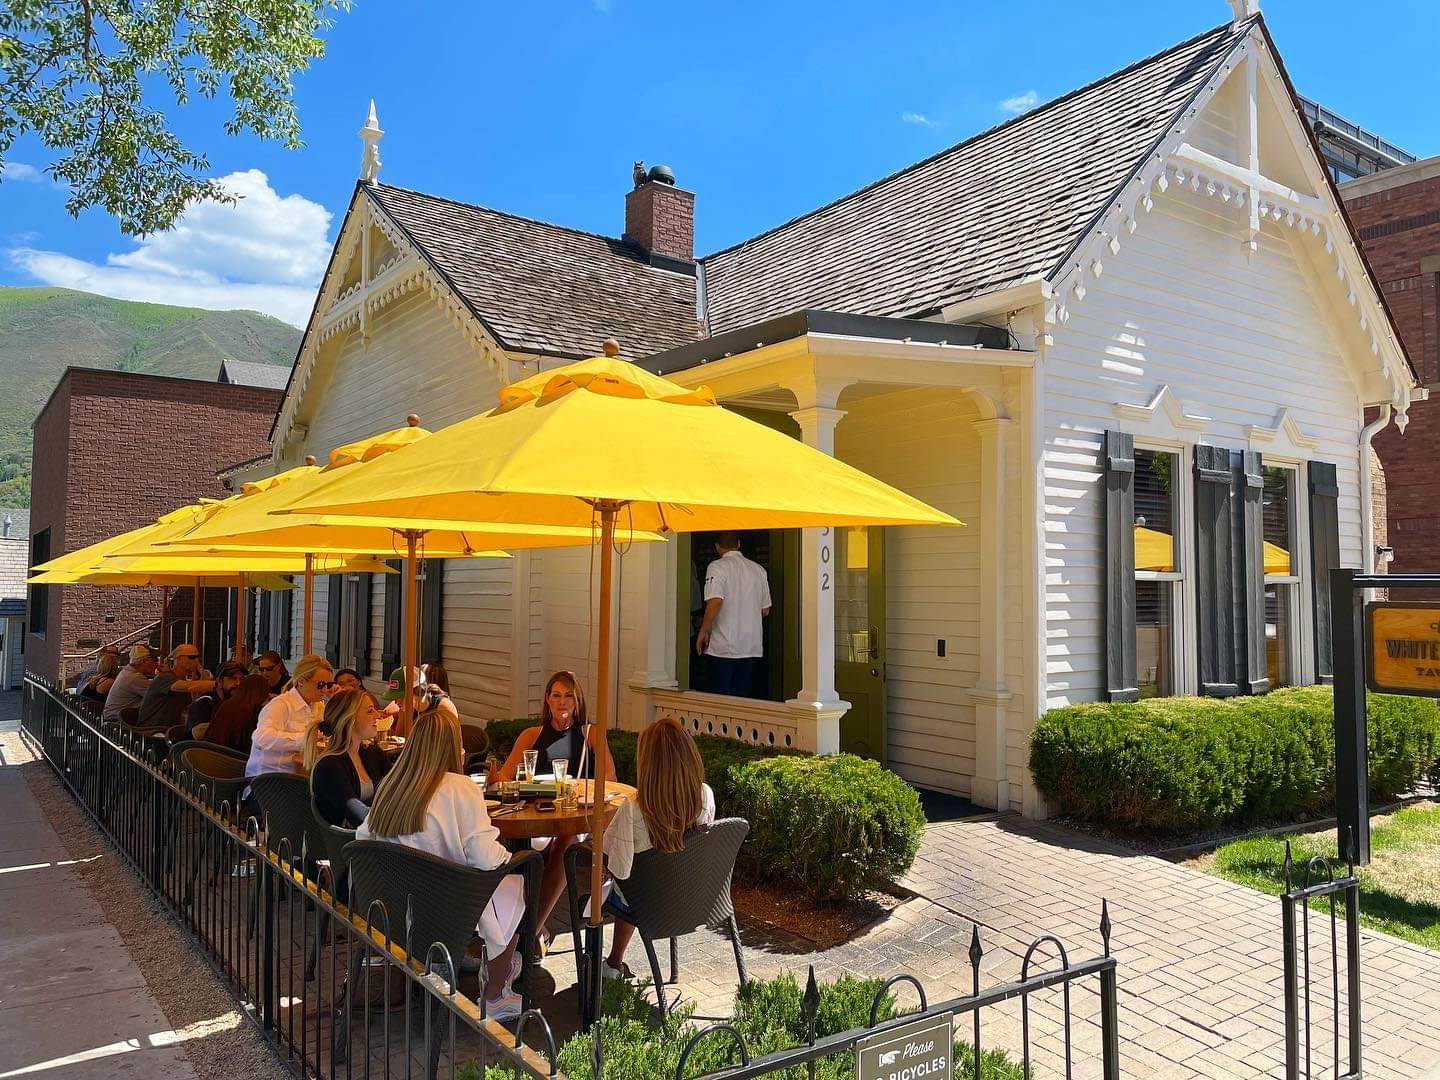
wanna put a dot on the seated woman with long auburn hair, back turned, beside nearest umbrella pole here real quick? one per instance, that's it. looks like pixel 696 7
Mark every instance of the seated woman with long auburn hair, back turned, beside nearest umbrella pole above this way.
pixel 672 797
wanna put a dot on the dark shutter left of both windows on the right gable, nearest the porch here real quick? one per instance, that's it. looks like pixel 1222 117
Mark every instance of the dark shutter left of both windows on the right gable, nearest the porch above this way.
pixel 1120 568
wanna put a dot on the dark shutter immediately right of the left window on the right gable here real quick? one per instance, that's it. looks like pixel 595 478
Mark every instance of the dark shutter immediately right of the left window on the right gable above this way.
pixel 1216 574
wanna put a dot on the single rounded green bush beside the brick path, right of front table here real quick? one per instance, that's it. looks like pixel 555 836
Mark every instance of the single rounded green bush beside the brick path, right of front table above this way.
pixel 833 827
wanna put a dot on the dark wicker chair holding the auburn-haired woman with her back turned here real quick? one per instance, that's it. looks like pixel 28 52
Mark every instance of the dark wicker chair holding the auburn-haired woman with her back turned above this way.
pixel 669 896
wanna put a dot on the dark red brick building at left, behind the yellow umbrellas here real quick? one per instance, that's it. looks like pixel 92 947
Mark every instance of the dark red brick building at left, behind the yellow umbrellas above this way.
pixel 113 451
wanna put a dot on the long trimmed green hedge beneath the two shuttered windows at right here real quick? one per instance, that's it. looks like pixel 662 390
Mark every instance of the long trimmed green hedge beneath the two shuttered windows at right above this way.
pixel 1187 764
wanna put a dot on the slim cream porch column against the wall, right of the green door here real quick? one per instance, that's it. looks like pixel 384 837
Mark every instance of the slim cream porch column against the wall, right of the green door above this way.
pixel 991 695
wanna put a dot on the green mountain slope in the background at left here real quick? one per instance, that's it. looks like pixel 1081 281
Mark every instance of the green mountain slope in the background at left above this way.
pixel 47 330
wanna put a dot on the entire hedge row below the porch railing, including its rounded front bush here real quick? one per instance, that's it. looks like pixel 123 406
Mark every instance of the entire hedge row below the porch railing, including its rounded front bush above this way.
pixel 832 827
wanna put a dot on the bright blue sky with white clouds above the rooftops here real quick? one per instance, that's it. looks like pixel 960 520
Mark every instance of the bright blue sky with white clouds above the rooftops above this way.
pixel 765 110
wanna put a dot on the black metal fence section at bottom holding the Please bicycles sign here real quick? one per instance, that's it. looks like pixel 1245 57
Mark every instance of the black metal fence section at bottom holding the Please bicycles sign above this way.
pixel 1101 971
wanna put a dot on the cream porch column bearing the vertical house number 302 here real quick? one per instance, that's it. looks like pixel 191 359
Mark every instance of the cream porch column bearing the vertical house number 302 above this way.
pixel 817 696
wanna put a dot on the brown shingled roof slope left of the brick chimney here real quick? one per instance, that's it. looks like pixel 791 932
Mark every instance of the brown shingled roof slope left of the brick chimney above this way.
pixel 545 289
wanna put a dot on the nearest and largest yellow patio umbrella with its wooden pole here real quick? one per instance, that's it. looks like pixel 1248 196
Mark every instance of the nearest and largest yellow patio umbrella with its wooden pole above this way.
pixel 606 443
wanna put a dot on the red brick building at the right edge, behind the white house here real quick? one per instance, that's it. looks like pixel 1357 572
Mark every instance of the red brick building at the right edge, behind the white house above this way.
pixel 1398 215
